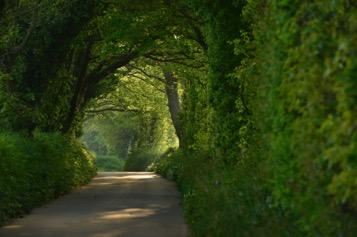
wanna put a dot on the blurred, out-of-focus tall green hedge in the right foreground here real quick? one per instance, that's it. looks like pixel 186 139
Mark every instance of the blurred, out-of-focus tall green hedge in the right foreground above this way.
pixel 307 91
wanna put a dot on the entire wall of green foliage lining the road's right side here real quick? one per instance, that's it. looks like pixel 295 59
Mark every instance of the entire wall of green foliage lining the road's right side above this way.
pixel 270 150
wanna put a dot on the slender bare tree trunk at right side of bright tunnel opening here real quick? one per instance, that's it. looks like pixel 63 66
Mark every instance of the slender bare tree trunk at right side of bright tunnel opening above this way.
pixel 171 89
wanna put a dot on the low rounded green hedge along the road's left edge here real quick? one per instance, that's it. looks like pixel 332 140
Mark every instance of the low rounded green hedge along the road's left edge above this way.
pixel 34 170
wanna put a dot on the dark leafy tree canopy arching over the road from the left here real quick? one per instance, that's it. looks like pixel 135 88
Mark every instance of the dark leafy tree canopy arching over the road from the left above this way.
pixel 88 46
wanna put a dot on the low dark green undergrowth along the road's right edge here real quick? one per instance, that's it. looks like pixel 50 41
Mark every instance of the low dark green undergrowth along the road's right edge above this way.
pixel 219 200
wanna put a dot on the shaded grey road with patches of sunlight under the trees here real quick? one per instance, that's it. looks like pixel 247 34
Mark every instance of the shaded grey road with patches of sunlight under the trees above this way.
pixel 113 204
